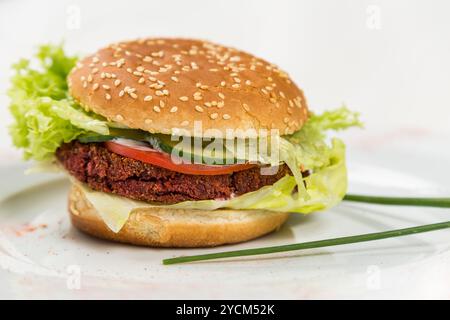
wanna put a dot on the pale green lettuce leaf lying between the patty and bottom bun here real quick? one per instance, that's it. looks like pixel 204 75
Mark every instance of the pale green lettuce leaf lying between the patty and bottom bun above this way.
pixel 326 188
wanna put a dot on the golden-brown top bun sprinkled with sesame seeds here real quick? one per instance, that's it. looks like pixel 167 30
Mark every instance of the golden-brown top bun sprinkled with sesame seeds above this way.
pixel 164 85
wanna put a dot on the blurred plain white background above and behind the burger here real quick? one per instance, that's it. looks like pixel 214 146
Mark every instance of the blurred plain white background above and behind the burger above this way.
pixel 388 59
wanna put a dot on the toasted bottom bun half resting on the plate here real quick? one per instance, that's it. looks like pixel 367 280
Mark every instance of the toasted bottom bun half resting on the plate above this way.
pixel 162 227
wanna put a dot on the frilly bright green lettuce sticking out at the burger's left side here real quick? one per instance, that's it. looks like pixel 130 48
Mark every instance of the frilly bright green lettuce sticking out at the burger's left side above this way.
pixel 44 115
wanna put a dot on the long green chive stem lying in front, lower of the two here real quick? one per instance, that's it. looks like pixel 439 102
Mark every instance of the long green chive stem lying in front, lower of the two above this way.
pixel 311 245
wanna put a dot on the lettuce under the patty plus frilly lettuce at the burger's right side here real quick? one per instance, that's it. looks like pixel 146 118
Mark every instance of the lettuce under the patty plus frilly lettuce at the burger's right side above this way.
pixel 306 149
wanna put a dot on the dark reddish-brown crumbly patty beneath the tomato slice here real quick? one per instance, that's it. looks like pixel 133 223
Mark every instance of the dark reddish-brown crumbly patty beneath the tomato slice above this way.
pixel 106 171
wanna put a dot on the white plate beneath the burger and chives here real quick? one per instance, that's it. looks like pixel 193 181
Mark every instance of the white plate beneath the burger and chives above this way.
pixel 42 256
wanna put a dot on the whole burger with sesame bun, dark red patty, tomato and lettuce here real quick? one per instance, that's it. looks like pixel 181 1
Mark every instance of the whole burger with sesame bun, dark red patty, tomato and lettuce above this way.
pixel 163 141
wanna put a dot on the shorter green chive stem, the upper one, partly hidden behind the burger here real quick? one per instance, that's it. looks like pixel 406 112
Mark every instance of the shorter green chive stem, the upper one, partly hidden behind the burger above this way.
pixel 399 201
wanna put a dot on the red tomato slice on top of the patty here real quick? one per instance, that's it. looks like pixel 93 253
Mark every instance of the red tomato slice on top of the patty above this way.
pixel 164 160
